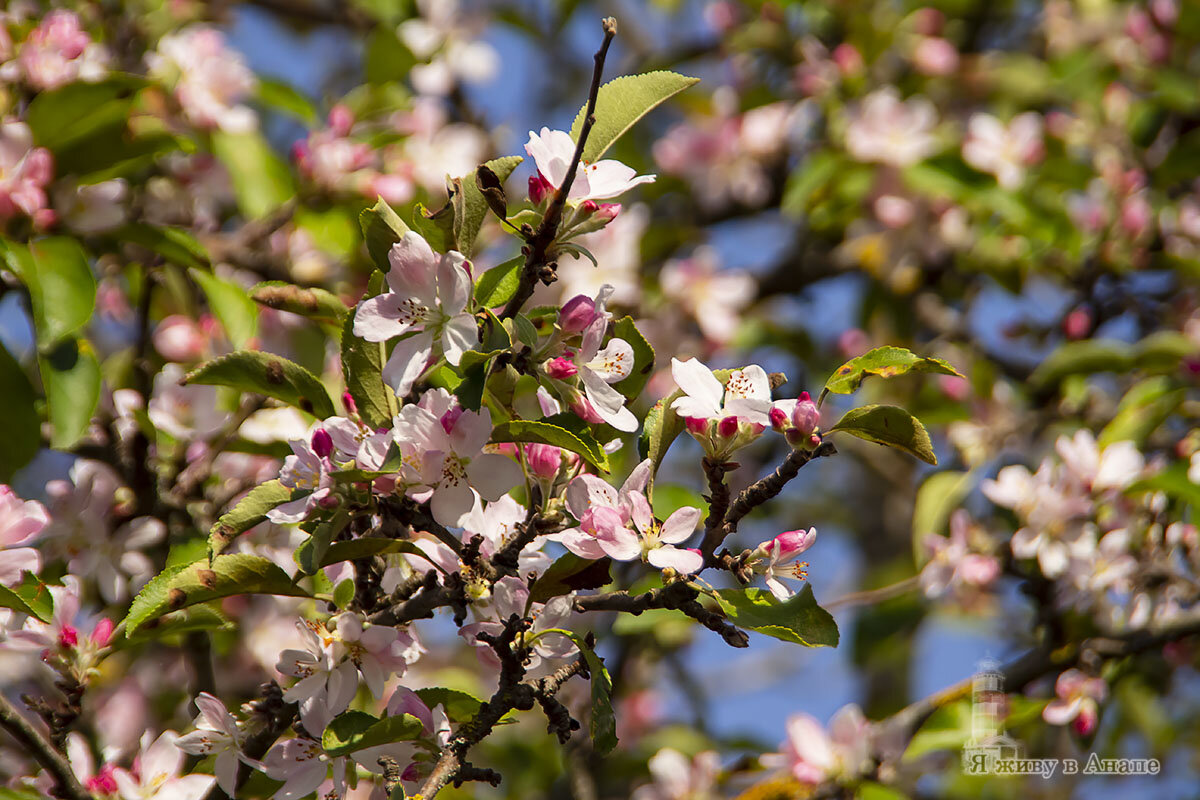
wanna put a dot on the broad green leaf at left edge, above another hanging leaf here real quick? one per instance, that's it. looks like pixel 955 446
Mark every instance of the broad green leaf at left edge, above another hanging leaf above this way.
pixel 62 287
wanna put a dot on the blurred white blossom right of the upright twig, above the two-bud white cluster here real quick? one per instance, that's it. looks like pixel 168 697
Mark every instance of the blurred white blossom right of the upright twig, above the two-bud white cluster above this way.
pixel 712 296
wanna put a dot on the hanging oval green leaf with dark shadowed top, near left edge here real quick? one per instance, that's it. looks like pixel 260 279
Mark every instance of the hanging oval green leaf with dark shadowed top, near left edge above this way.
pixel 71 380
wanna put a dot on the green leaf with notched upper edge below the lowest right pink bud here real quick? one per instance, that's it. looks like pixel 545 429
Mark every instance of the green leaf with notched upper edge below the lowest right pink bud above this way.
pixel 800 619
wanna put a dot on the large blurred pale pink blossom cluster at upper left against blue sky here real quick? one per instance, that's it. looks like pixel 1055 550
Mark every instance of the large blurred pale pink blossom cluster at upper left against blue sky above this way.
pixel 211 80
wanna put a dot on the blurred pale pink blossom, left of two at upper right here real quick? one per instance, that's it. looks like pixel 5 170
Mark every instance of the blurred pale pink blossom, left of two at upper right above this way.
pixel 887 130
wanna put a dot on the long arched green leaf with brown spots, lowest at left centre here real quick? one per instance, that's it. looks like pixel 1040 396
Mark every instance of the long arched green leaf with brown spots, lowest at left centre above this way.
pixel 199 584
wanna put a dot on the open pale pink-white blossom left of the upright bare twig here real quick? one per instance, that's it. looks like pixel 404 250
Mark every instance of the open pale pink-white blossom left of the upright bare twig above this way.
pixel 428 300
